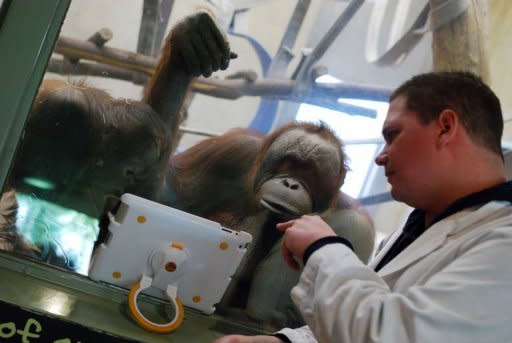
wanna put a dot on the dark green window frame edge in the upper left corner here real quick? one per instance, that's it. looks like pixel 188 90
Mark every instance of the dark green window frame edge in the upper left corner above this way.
pixel 25 50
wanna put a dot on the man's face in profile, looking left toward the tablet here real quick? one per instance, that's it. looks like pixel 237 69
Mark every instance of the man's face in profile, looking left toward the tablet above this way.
pixel 410 156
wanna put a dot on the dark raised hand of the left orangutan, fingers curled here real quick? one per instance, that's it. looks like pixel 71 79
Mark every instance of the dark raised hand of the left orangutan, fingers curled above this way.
pixel 199 46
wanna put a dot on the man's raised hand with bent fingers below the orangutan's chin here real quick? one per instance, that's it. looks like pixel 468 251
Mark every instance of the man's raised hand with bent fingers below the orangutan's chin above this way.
pixel 299 234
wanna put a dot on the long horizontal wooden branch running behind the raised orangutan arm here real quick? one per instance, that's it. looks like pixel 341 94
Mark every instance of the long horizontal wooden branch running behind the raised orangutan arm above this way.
pixel 124 65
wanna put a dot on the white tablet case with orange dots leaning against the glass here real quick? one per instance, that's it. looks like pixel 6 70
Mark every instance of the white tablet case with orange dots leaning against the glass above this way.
pixel 142 236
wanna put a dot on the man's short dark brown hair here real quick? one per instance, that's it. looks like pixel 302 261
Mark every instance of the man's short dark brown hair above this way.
pixel 465 93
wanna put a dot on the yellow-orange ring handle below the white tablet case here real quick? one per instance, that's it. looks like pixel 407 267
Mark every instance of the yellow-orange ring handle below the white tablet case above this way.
pixel 147 324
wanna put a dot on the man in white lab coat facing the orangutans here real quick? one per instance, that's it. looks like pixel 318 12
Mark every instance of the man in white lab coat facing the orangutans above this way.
pixel 447 275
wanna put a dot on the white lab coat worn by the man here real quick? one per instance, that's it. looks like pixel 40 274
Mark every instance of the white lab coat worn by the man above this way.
pixel 452 284
